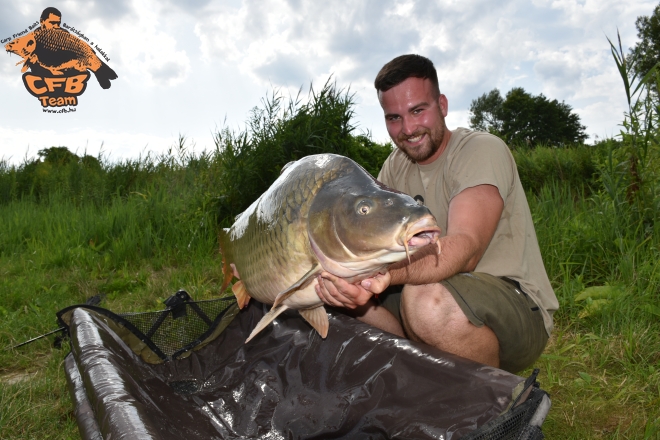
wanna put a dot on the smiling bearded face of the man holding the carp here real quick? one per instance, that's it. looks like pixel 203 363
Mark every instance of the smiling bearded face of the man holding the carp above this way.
pixel 415 118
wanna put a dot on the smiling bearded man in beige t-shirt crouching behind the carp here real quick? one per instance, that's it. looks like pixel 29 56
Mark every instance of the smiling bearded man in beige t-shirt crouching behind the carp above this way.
pixel 486 295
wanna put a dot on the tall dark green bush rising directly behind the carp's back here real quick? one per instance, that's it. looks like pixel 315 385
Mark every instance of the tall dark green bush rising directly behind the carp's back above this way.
pixel 249 161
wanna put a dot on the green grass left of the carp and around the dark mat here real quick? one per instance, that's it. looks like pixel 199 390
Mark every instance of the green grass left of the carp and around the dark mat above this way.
pixel 135 251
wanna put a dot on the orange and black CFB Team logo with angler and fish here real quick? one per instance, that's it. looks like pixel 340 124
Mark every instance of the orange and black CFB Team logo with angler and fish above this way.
pixel 56 63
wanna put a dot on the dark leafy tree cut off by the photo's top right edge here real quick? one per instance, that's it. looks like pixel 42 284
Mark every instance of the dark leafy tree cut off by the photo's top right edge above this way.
pixel 646 52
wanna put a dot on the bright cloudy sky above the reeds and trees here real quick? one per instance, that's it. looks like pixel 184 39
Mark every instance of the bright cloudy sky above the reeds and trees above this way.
pixel 192 67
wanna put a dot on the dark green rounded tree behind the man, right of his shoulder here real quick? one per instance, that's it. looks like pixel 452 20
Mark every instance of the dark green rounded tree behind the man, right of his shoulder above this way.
pixel 522 118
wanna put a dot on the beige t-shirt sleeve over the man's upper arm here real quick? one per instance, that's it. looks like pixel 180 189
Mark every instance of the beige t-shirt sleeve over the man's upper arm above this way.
pixel 482 160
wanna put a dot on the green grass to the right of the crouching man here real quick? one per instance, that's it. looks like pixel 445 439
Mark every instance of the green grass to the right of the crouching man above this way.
pixel 602 365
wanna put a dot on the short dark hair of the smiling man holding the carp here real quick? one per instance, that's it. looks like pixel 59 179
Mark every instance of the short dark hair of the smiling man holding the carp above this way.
pixel 403 67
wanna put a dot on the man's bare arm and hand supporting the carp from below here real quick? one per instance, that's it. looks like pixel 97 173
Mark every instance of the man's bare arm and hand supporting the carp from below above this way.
pixel 473 217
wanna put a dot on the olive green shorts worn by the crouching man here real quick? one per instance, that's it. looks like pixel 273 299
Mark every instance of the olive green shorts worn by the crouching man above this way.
pixel 497 303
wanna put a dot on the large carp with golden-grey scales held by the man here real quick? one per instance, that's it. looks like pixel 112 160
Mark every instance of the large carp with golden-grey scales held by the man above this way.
pixel 324 212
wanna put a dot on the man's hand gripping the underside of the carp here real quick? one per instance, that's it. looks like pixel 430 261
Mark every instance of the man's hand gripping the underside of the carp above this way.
pixel 336 292
